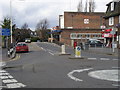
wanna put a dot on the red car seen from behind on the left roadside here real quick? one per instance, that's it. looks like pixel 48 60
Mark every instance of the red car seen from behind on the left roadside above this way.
pixel 22 47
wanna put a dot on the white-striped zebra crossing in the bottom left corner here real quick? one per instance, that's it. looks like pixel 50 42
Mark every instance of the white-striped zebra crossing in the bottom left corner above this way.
pixel 9 81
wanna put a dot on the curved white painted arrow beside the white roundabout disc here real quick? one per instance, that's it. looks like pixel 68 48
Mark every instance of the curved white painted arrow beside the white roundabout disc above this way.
pixel 70 75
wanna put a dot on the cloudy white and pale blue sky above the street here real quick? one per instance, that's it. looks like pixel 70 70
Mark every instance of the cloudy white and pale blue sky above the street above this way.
pixel 32 11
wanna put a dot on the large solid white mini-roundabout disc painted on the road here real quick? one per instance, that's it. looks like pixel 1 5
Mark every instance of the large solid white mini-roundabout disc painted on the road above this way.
pixel 110 75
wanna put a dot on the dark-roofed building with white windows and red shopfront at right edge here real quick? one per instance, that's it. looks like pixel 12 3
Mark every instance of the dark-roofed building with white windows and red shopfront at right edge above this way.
pixel 112 21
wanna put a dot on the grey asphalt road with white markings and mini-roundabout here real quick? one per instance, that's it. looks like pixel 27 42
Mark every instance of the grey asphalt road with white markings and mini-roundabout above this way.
pixel 44 67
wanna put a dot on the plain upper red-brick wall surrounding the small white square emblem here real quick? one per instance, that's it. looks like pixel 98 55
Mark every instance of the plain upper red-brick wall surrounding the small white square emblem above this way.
pixel 76 19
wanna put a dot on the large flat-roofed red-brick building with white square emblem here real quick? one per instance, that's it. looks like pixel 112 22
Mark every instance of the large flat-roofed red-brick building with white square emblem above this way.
pixel 80 26
